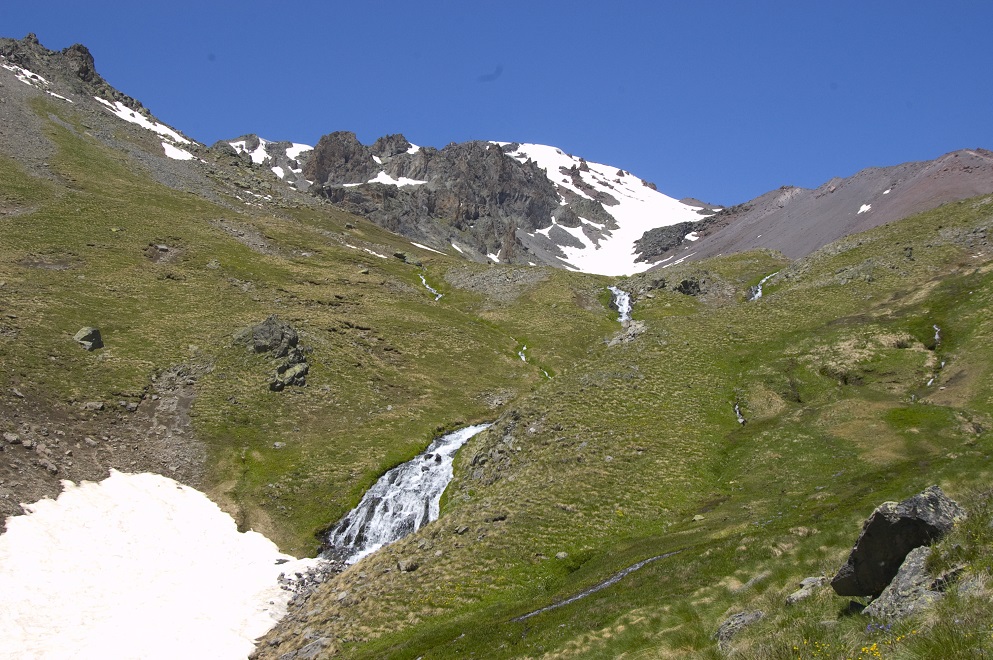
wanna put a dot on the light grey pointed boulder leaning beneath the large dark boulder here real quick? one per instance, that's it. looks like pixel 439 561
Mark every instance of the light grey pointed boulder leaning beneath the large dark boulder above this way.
pixel 912 590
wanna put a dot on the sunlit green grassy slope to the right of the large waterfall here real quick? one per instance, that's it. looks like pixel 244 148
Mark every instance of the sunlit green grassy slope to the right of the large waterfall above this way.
pixel 610 462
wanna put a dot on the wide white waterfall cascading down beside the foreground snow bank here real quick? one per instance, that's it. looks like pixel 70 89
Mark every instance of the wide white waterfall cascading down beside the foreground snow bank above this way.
pixel 403 500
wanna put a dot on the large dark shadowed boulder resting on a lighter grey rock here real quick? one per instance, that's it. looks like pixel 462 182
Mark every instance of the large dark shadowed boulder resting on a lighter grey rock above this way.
pixel 888 535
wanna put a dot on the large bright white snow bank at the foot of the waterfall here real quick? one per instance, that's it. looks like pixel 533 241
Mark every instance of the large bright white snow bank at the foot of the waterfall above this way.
pixel 136 566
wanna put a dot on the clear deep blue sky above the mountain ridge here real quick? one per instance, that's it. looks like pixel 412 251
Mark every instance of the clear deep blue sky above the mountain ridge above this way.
pixel 716 100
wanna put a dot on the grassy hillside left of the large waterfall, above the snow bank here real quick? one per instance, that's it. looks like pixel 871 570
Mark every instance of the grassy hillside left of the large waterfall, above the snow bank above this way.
pixel 389 365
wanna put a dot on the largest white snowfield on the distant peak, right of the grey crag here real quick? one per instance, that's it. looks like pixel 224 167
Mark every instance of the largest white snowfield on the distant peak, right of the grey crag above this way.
pixel 639 209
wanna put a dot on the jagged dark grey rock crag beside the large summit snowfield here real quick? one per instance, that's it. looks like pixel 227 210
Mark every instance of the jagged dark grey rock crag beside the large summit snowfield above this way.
pixel 473 192
